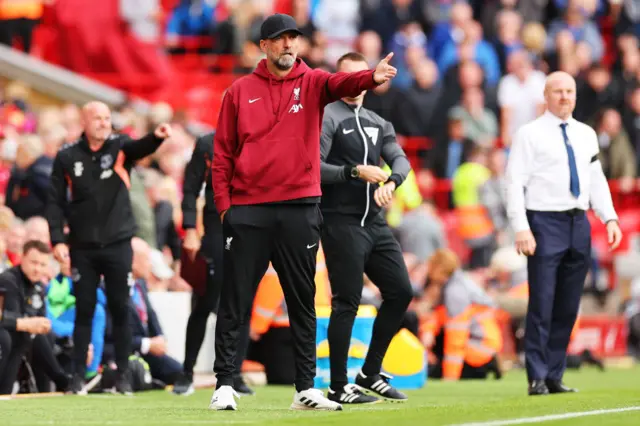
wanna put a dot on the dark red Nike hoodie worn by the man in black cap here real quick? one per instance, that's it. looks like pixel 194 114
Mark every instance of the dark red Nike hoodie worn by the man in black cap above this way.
pixel 267 143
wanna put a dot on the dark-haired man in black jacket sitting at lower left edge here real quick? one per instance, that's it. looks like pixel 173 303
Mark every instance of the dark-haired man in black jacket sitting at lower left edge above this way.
pixel 23 314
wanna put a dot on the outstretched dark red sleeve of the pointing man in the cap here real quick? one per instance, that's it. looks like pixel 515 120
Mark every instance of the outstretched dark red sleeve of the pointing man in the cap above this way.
pixel 343 84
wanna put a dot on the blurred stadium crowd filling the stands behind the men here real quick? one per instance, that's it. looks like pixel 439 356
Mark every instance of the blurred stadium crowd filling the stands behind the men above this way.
pixel 470 73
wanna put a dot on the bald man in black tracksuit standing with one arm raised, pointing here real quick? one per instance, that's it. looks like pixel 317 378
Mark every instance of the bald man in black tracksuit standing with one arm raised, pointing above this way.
pixel 89 192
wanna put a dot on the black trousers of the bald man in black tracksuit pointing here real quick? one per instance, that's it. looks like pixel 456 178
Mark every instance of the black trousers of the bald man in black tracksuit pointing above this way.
pixel 88 265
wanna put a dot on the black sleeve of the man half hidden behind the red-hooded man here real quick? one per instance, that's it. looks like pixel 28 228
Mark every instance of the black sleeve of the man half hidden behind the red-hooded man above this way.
pixel 194 175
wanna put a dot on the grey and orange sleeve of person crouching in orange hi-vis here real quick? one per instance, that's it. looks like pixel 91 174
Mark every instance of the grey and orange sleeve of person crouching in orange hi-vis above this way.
pixel 456 331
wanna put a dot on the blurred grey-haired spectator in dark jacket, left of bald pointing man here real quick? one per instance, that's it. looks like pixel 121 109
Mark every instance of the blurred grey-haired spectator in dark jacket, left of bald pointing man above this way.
pixel 27 188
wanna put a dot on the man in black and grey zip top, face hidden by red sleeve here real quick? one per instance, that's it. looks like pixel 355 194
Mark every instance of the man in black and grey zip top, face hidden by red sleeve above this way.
pixel 356 238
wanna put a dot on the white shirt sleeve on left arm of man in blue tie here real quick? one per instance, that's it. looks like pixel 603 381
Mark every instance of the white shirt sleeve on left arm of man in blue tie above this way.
pixel 517 174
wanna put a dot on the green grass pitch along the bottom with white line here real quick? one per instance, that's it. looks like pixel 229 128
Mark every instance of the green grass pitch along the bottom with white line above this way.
pixel 487 403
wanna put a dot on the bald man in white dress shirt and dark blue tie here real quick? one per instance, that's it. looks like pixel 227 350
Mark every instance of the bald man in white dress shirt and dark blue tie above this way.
pixel 553 176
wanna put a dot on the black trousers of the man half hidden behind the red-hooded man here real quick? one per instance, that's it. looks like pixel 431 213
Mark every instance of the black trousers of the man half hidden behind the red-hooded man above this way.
pixel 203 306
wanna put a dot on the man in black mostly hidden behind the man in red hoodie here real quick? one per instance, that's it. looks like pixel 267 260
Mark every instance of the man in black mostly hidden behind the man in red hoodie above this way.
pixel 209 248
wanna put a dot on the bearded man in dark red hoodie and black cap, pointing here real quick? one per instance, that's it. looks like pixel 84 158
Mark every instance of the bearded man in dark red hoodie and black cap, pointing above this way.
pixel 266 178
